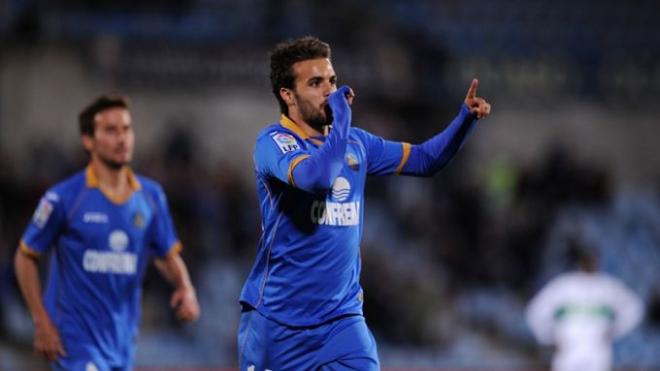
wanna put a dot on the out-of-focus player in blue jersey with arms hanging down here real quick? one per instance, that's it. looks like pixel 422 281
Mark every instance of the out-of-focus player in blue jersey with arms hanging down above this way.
pixel 101 226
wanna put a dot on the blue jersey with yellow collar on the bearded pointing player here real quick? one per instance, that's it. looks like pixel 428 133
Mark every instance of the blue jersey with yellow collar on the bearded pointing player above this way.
pixel 307 267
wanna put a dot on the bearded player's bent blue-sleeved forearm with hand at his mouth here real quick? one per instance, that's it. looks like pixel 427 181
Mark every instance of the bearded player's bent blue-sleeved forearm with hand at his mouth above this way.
pixel 317 172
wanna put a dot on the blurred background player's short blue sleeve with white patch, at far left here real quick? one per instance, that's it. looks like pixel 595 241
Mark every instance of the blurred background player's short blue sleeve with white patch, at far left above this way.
pixel 45 226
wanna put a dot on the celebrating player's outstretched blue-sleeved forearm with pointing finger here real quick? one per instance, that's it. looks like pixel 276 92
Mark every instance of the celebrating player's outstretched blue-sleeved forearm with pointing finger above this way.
pixel 427 158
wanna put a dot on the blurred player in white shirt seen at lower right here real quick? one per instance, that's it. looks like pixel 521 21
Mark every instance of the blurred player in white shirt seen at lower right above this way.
pixel 581 313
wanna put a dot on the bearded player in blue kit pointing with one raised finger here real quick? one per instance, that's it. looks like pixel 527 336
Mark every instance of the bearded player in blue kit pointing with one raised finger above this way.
pixel 302 301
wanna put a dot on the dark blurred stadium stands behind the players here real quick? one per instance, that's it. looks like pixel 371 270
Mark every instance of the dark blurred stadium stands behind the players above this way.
pixel 571 151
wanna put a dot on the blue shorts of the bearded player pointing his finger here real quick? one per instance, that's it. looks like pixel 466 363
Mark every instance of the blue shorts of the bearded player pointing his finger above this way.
pixel 341 344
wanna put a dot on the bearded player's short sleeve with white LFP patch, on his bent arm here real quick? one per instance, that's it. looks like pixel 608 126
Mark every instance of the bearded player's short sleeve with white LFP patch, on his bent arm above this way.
pixel 277 153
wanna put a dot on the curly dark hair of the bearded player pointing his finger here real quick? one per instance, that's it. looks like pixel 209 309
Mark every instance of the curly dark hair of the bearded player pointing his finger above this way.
pixel 285 55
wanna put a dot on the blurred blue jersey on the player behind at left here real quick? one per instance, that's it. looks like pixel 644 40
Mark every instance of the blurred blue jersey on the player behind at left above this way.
pixel 99 248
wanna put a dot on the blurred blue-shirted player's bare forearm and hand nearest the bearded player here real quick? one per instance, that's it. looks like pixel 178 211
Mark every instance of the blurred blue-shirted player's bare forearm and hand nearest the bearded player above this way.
pixel 184 298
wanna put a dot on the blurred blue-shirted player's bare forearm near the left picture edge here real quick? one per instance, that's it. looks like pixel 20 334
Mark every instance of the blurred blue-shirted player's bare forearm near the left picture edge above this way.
pixel 46 338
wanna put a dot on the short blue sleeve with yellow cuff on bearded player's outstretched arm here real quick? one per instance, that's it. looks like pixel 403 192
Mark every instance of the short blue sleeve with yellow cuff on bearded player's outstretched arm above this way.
pixel 383 156
